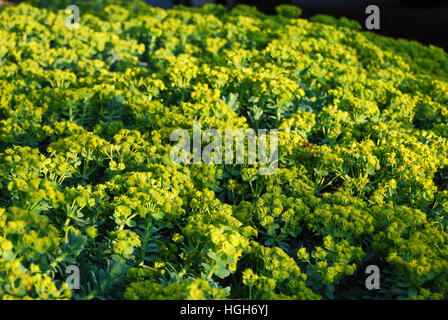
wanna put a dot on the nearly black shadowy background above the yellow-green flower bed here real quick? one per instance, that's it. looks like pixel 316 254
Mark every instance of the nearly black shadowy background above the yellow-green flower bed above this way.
pixel 423 20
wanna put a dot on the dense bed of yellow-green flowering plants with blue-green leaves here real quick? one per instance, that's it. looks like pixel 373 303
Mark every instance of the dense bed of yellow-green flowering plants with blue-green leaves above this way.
pixel 86 179
